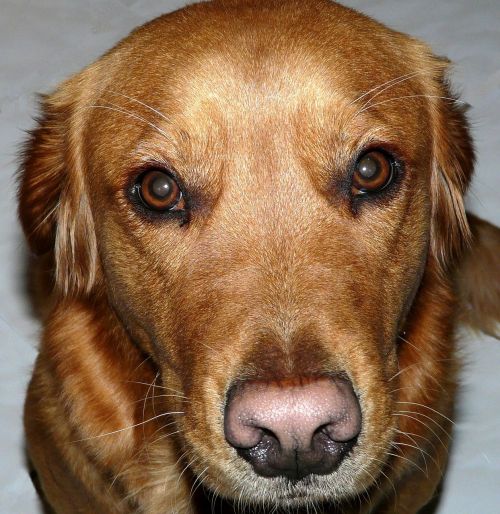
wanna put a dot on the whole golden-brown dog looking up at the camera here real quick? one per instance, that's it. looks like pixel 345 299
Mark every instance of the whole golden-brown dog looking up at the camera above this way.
pixel 250 217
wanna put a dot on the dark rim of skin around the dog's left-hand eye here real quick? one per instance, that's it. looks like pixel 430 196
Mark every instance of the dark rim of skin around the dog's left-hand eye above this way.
pixel 151 214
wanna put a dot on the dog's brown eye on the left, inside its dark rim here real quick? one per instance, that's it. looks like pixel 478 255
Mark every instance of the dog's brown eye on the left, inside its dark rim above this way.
pixel 160 192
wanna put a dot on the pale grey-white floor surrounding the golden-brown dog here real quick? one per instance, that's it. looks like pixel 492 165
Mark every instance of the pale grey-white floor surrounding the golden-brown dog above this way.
pixel 43 41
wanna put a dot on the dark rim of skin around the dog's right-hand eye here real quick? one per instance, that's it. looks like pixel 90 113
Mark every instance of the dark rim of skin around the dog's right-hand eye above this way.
pixel 396 171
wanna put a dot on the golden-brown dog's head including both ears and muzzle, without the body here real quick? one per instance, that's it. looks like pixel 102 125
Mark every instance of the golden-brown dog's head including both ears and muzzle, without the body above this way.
pixel 258 190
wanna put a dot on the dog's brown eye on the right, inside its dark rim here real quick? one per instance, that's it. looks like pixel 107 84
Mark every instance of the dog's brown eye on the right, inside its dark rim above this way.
pixel 373 172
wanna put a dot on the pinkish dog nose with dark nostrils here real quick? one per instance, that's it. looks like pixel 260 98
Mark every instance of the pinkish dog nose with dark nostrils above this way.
pixel 293 428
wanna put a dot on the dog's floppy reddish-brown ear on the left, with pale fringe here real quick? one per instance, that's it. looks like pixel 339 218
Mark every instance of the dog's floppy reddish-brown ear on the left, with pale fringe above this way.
pixel 53 205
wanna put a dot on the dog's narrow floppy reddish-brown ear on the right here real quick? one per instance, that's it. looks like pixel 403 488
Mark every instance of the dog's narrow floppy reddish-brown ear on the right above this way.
pixel 453 167
